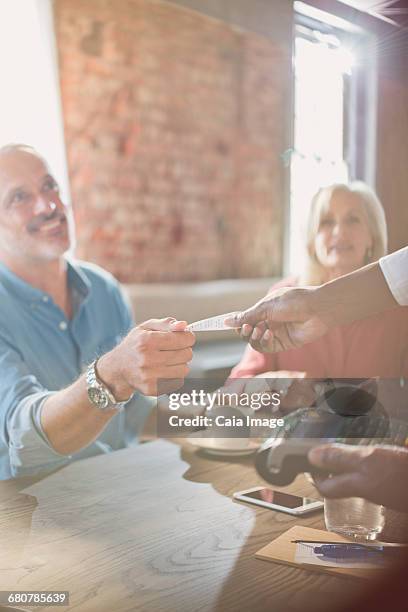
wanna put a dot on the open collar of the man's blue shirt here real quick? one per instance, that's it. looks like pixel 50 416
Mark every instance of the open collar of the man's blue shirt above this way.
pixel 77 280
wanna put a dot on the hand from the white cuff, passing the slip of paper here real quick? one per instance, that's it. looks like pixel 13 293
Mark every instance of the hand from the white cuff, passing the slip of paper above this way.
pixel 285 319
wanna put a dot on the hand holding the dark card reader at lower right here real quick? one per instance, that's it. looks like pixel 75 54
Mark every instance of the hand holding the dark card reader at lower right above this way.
pixel 376 473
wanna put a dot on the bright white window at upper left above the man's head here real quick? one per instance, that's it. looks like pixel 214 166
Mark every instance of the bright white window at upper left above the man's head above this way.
pixel 30 100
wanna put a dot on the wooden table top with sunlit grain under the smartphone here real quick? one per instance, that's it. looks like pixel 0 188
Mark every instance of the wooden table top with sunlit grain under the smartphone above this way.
pixel 154 528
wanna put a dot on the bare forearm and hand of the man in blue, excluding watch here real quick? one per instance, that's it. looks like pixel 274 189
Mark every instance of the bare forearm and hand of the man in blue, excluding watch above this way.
pixel 159 349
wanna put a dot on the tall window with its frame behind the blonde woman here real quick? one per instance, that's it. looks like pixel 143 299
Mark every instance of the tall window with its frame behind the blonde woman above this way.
pixel 330 130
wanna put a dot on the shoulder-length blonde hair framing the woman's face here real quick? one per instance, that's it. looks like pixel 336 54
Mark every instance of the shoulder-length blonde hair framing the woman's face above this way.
pixel 314 272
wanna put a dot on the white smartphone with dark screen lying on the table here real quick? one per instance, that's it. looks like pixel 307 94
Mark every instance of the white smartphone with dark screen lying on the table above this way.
pixel 277 500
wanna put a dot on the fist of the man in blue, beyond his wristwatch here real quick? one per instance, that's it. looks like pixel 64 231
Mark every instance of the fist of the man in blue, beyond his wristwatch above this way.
pixel 156 350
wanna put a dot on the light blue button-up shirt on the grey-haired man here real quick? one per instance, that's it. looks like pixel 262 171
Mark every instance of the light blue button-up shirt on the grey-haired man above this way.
pixel 41 352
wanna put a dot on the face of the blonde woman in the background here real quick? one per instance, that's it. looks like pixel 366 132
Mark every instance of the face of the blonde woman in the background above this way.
pixel 343 236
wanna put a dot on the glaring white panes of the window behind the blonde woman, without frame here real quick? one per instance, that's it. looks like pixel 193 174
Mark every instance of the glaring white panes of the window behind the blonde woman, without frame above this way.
pixel 318 157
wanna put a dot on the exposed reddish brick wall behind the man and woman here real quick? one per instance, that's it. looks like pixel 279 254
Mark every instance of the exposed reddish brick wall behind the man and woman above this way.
pixel 174 130
